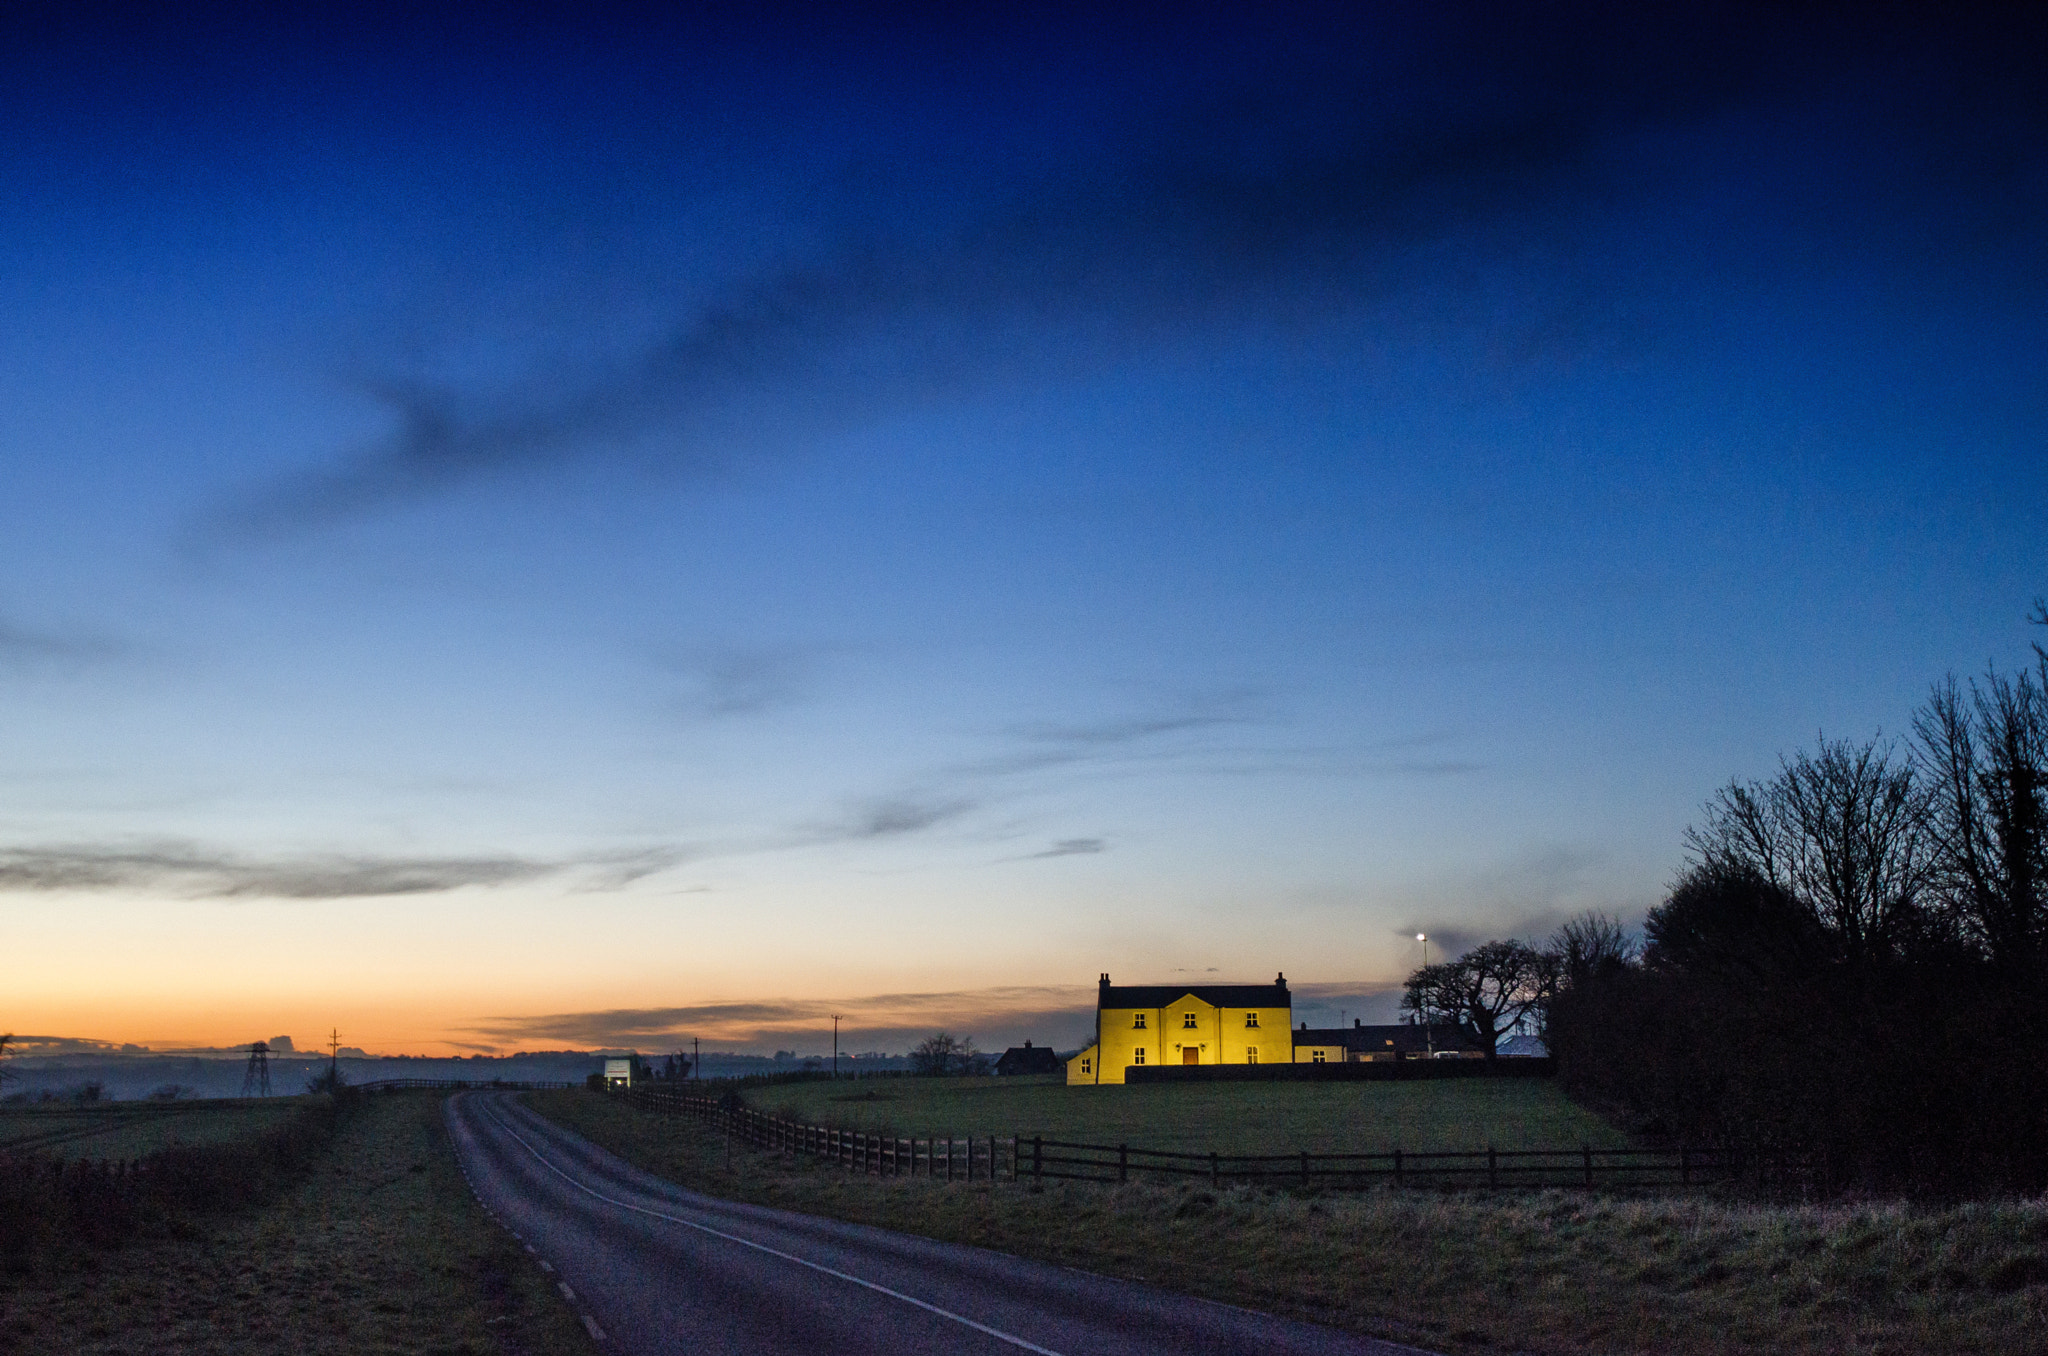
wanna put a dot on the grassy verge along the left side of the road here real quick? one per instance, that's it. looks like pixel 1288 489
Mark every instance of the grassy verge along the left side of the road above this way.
pixel 376 1248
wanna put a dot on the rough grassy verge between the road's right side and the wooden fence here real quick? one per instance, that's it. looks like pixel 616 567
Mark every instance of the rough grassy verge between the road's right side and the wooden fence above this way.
pixel 1465 1273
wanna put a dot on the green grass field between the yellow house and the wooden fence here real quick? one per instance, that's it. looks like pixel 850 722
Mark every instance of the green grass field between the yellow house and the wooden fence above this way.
pixel 1510 1113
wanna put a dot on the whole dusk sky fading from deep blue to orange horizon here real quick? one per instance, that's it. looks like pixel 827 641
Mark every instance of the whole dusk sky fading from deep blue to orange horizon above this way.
pixel 607 525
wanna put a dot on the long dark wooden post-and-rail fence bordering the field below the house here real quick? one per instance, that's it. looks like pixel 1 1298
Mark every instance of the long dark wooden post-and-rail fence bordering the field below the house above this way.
pixel 1013 1158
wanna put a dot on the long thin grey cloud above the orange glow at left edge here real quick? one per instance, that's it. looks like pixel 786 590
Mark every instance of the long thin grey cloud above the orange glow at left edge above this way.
pixel 202 874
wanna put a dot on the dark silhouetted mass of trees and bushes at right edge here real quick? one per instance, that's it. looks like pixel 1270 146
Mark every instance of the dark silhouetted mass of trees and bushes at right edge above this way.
pixel 1848 972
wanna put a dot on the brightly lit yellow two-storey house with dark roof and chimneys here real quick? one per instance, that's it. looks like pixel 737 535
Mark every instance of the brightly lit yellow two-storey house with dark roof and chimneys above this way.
pixel 1172 1025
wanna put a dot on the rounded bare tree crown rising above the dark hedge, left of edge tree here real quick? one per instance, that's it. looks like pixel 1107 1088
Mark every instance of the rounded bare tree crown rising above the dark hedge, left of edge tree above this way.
pixel 1844 831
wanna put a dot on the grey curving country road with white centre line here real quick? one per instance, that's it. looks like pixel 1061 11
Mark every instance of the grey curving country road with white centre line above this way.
pixel 658 1269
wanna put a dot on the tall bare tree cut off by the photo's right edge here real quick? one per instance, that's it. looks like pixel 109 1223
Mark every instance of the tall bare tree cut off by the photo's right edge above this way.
pixel 1986 757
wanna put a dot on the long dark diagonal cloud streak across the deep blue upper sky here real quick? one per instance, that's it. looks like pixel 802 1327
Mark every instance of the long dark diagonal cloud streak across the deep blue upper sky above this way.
pixel 1299 183
